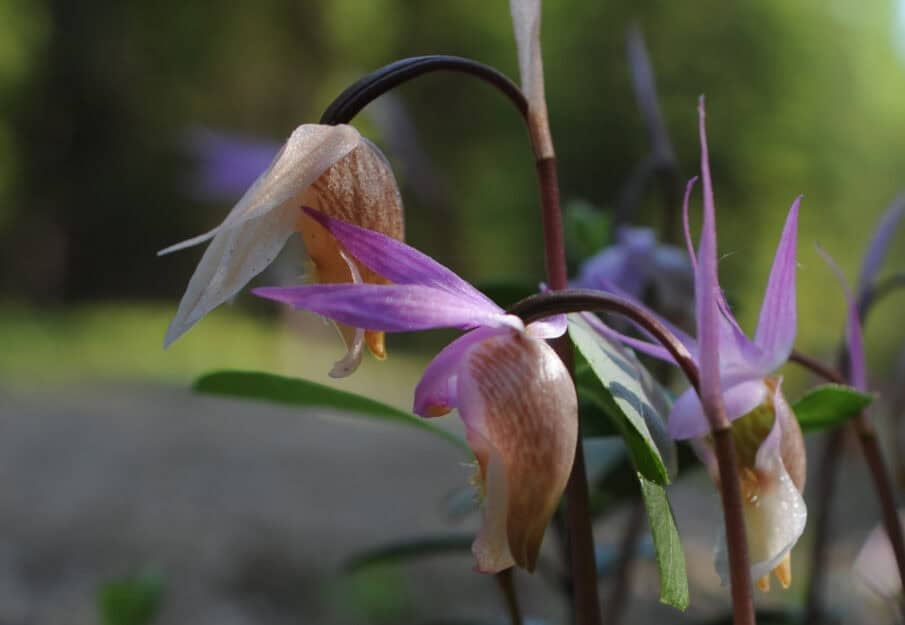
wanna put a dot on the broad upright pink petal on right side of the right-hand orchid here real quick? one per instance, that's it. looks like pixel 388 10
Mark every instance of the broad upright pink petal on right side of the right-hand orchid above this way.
pixel 775 334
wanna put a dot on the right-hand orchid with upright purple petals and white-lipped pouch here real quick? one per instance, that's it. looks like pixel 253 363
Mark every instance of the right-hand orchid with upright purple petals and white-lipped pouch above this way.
pixel 739 373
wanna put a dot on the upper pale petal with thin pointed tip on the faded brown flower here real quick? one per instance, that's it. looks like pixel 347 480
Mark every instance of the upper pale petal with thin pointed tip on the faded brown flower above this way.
pixel 308 153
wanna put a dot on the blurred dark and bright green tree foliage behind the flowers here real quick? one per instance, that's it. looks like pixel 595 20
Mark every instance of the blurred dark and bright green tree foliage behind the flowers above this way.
pixel 98 96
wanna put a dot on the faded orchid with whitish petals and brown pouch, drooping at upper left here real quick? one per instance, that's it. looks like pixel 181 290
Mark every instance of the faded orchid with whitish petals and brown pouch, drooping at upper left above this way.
pixel 332 168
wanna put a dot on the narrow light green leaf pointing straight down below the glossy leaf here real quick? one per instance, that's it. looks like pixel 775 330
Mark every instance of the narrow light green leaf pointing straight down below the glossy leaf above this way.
pixel 670 557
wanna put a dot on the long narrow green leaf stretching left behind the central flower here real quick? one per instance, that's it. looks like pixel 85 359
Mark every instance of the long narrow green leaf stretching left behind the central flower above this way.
pixel 296 392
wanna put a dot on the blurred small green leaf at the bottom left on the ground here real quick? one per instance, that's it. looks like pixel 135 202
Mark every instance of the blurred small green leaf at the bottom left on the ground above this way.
pixel 131 600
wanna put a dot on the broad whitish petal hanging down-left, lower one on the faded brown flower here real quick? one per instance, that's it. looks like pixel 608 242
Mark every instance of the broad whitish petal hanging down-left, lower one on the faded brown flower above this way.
pixel 234 257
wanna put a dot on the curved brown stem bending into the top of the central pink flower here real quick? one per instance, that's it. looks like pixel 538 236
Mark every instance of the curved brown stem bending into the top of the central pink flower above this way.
pixel 581 300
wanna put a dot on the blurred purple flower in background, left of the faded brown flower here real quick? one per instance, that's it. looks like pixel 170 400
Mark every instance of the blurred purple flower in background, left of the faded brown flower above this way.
pixel 228 163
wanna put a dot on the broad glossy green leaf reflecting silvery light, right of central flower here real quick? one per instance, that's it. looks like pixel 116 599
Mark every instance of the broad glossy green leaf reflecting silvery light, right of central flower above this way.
pixel 627 393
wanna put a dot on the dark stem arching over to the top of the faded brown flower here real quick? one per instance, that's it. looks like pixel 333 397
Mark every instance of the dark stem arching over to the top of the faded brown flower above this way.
pixel 351 101
